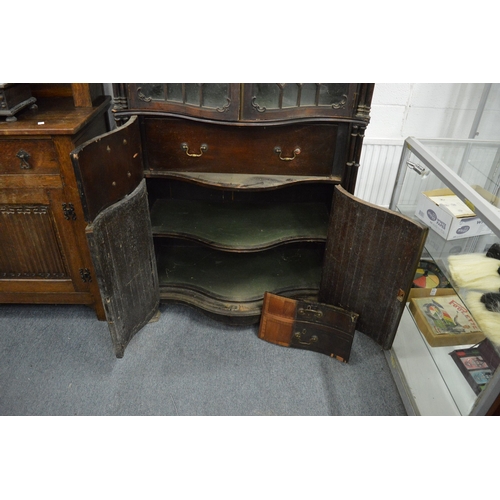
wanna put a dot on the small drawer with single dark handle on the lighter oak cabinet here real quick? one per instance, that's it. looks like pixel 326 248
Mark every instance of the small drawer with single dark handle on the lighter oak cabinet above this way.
pixel 28 156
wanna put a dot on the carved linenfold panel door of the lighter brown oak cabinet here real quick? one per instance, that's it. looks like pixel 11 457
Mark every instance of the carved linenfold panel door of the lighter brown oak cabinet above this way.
pixel 36 254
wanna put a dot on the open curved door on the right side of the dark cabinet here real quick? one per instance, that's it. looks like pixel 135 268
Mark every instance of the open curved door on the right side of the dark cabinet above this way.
pixel 370 262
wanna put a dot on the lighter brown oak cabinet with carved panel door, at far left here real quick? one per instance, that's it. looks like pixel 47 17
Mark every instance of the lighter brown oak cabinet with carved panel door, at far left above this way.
pixel 44 256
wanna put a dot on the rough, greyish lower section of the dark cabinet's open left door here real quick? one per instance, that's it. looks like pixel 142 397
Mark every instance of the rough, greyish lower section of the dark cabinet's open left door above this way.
pixel 122 251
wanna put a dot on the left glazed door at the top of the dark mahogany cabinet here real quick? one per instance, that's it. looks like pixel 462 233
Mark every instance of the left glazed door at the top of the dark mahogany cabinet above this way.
pixel 219 101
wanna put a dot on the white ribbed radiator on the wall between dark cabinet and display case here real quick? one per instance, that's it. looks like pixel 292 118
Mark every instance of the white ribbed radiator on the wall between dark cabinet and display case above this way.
pixel 378 168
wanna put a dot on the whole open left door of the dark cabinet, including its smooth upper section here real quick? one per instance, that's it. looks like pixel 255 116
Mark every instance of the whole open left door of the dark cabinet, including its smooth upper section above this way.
pixel 109 174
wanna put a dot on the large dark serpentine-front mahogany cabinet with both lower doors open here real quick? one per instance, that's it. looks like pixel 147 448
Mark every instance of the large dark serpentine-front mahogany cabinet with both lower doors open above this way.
pixel 212 194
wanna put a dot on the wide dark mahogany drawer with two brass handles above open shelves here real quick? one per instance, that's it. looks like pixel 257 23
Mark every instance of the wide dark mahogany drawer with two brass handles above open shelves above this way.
pixel 181 145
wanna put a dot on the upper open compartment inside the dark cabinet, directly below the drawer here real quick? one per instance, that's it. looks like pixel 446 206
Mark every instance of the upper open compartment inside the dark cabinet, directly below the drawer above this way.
pixel 240 226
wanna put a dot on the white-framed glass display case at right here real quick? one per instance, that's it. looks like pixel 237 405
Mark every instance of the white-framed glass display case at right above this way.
pixel 429 381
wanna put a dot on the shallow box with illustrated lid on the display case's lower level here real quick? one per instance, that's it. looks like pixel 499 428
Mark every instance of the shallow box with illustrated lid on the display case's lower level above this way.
pixel 443 318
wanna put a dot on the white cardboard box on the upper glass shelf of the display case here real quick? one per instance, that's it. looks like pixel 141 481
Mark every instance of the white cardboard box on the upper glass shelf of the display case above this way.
pixel 447 215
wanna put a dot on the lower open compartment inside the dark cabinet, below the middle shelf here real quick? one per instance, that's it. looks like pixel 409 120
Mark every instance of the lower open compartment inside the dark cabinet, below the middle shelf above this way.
pixel 235 278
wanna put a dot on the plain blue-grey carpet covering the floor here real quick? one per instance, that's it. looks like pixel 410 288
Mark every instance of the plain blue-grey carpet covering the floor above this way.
pixel 58 360
